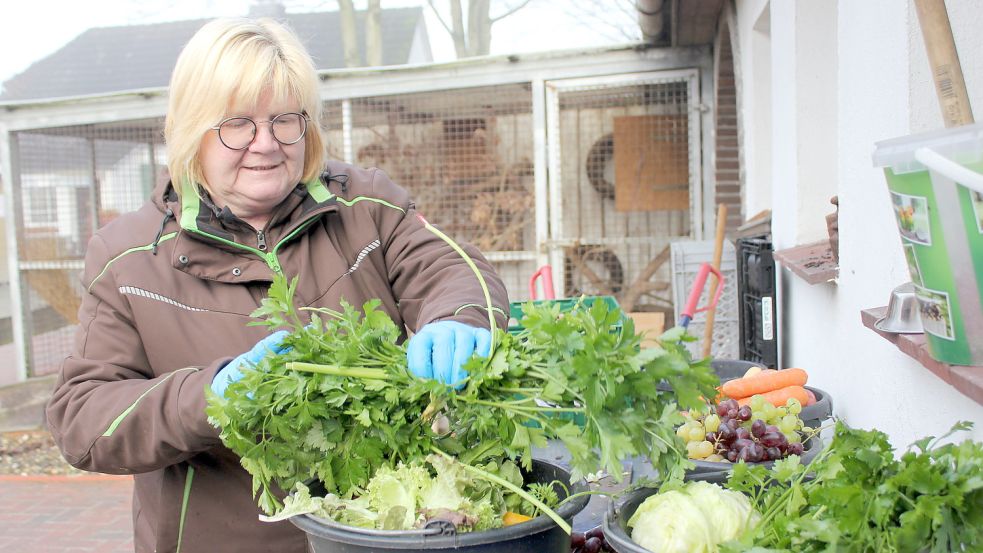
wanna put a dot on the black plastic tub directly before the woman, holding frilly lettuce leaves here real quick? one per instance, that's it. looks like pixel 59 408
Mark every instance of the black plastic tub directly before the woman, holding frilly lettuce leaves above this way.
pixel 539 535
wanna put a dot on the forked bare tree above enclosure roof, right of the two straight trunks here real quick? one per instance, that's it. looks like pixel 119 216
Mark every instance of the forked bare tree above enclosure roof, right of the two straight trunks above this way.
pixel 475 38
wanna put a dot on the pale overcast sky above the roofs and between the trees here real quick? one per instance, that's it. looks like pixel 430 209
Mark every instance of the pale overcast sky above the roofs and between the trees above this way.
pixel 33 29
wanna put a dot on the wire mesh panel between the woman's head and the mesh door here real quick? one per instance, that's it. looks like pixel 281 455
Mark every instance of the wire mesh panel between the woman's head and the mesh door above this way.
pixel 465 155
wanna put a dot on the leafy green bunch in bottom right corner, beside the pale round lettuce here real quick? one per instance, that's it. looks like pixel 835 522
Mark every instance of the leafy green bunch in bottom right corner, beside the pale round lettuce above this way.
pixel 856 496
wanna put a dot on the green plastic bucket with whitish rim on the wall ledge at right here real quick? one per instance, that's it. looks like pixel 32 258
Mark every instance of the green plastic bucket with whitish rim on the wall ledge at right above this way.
pixel 935 182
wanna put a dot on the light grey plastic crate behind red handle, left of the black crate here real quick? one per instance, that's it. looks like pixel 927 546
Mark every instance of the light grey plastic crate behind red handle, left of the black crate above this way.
pixel 687 256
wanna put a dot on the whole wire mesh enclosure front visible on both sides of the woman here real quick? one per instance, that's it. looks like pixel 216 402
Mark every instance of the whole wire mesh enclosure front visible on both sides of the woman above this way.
pixel 621 182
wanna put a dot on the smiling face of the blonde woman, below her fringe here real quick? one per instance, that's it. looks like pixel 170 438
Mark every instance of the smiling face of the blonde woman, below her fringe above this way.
pixel 253 181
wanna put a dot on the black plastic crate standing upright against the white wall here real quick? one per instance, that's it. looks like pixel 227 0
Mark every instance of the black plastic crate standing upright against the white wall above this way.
pixel 756 293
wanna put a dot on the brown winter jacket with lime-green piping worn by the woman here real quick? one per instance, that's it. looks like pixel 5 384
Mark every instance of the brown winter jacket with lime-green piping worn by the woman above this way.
pixel 169 289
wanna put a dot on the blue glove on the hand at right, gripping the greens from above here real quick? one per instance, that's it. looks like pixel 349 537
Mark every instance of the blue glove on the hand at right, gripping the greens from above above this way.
pixel 440 348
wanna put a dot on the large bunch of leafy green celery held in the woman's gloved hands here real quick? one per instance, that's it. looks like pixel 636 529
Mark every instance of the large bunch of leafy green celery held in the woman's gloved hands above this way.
pixel 341 402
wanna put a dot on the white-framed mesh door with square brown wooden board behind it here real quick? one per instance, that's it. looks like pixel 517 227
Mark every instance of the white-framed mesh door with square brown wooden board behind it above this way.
pixel 622 158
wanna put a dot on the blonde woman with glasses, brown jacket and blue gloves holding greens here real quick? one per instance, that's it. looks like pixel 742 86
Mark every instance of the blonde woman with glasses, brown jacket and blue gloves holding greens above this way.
pixel 169 288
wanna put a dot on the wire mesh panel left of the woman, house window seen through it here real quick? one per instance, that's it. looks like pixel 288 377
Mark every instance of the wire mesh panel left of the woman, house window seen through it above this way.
pixel 72 180
